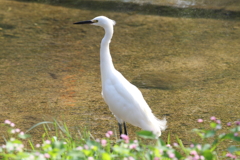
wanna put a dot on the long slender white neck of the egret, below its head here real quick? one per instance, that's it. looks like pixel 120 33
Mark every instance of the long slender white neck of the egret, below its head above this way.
pixel 106 63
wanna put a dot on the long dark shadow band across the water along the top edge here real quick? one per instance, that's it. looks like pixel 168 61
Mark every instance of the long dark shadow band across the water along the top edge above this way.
pixel 149 9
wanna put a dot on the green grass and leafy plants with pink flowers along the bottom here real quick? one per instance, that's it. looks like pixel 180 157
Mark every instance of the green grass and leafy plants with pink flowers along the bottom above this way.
pixel 63 145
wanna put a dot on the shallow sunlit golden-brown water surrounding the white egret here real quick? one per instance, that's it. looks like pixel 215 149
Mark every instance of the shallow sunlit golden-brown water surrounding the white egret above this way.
pixel 186 67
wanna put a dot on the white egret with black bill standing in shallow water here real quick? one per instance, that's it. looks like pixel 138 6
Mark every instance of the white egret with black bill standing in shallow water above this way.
pixel 124 99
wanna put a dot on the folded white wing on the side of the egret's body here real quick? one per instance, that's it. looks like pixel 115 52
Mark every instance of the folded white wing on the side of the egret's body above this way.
pixel 125 100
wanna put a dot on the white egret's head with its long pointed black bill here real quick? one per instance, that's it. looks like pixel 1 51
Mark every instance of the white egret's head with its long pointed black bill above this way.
pixel 99 21
